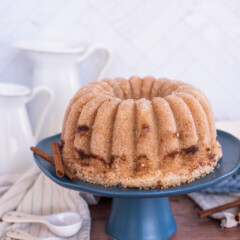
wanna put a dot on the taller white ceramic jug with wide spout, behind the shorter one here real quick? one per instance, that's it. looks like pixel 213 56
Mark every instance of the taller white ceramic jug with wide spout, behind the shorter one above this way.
pixel 55 66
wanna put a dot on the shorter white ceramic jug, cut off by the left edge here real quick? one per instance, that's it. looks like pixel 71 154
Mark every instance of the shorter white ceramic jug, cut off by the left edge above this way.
pixel 16 134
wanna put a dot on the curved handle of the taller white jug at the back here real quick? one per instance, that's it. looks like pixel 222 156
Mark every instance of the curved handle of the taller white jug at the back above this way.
pixel 97 47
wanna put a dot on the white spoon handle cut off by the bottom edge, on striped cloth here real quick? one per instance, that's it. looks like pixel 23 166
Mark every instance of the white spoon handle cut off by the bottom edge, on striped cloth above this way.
pixel 21 234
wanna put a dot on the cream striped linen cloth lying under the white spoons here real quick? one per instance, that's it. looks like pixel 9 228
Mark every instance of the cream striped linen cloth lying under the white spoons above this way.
pixel 34 193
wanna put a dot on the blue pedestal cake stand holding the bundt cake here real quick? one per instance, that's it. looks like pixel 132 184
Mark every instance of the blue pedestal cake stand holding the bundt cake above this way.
pixel 139 214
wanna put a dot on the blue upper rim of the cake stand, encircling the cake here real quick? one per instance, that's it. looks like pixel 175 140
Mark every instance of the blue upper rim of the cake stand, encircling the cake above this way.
pixel 133 192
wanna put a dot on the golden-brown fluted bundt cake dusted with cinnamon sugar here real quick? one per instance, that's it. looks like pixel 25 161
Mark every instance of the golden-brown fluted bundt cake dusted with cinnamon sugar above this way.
pixel 141 132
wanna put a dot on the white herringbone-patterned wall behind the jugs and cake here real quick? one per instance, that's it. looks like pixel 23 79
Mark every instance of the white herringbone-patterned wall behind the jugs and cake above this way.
pixel 194 41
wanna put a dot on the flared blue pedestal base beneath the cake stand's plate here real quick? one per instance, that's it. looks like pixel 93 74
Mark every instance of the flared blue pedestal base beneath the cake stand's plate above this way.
pixel 141 218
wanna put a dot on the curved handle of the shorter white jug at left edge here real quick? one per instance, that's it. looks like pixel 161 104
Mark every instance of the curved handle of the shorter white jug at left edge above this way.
pixel 42 114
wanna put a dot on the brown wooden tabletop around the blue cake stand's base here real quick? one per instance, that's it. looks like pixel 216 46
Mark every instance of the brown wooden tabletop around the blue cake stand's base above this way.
pixel 189 225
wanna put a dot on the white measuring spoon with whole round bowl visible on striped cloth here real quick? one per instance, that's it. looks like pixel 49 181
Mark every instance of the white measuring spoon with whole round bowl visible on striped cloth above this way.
pixel 64 224
